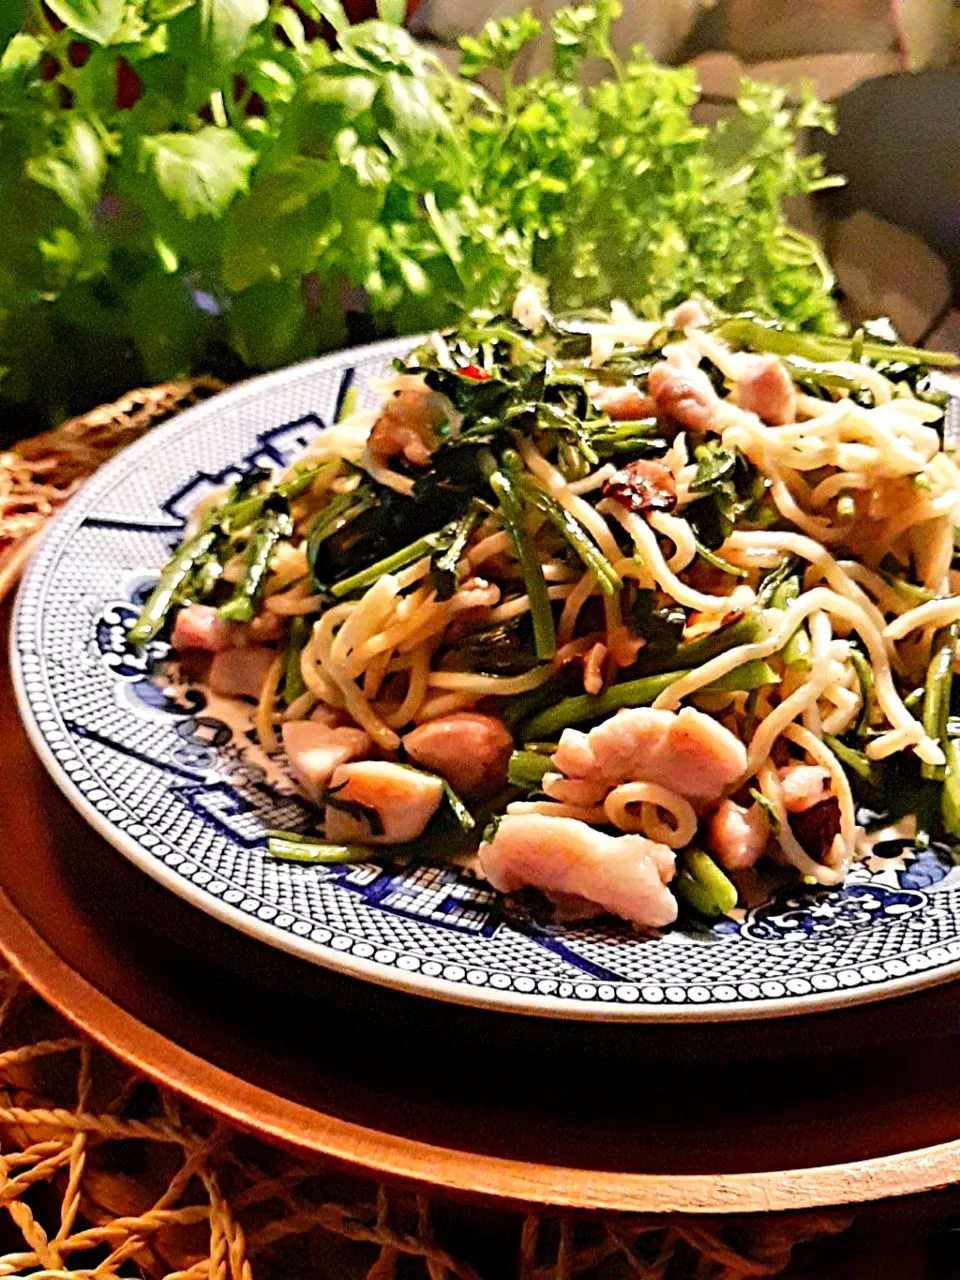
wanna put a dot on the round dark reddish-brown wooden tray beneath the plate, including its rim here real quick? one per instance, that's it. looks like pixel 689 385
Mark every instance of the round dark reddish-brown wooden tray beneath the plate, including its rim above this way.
pixel 830 1109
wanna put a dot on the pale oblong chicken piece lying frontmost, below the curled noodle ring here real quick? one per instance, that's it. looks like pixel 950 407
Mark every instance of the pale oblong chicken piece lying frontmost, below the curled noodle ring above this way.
pixel 624 875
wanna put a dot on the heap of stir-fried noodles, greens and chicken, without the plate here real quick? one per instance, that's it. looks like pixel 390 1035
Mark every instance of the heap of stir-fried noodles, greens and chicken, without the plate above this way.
pixel 632 606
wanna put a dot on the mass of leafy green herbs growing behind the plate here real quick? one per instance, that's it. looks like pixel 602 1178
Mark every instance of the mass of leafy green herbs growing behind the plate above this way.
pixel 207 163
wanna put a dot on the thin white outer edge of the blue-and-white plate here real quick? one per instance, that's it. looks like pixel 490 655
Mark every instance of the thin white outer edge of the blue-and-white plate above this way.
pixel 547 1007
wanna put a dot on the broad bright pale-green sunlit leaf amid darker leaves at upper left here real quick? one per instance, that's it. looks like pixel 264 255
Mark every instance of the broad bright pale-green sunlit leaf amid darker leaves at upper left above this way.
pixel 200 173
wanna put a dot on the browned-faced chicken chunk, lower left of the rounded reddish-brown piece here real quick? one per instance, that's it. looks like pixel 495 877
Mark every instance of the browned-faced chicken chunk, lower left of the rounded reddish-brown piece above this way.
pixel 401 801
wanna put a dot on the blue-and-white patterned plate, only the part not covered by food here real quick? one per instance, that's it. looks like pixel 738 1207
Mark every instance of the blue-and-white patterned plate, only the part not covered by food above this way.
pixel 170 776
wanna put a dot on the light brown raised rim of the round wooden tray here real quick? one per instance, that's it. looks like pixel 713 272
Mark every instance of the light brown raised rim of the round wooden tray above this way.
pixel 465 1174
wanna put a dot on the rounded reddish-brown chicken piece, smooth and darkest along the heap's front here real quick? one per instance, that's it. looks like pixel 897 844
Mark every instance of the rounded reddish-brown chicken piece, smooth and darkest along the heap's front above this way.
pixel 470 751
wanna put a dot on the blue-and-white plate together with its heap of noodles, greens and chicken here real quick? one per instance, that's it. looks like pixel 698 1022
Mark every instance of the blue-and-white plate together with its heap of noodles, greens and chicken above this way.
pixel 587 666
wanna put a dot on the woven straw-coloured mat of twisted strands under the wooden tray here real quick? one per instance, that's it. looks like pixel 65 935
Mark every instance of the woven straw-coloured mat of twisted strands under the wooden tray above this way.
pixel 102 1174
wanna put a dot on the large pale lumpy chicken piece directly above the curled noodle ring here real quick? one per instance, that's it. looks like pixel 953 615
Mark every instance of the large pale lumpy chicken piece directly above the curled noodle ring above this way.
pixel 687 752
